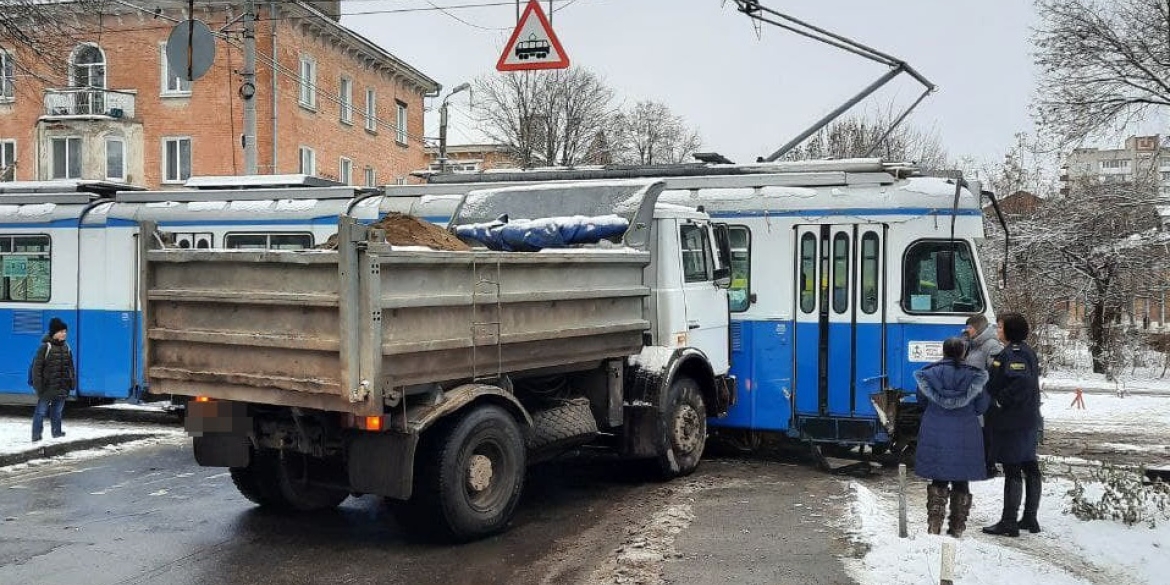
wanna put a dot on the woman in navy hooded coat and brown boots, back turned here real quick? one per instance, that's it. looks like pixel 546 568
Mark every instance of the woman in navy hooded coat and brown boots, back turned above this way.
pixel 951 439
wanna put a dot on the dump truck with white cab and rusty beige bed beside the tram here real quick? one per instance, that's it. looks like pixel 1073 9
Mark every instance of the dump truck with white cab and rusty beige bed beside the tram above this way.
pixel 436 378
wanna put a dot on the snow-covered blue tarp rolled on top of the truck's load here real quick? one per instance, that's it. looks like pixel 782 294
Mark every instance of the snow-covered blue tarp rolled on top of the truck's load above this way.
pixel 533 236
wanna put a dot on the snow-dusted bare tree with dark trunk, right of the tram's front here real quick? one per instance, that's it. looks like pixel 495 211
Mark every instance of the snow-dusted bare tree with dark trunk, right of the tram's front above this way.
pixel 1100 245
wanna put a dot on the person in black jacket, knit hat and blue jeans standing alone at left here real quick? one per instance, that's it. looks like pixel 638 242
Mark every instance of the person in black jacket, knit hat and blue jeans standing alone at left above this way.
pixel 53 378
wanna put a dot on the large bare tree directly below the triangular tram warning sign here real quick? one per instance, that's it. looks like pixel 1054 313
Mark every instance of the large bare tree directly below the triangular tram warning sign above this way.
pixel 546 118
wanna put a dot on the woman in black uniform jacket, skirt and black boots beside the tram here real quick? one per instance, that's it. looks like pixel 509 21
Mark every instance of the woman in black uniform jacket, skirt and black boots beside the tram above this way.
pixel 1015 424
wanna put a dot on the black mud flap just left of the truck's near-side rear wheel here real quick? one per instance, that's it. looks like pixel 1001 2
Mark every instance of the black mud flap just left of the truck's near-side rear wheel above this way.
pixel 383 464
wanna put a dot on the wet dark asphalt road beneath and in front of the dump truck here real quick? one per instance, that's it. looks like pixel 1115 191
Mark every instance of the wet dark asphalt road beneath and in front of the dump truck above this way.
pixel 152 515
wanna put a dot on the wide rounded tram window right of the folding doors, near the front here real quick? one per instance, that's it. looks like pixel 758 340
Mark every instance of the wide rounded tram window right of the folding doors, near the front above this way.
pixel 921 293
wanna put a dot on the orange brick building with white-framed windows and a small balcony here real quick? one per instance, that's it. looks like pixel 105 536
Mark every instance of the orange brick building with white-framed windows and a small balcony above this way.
pixel 329 102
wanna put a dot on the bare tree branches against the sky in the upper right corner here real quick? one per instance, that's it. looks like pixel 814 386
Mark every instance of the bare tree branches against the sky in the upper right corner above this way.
pixel 1104 64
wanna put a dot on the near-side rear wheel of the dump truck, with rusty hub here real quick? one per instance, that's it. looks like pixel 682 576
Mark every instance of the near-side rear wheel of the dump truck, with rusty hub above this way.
pixel 473 480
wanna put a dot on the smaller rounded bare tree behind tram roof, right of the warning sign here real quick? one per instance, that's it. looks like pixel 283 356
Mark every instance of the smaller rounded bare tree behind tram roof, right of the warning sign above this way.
pixel 651 134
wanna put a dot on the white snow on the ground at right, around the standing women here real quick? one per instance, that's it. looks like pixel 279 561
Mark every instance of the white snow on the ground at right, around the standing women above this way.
pixel 1069 552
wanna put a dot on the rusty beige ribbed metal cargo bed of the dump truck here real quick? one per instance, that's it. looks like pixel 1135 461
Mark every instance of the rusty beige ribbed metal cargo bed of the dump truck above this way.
pixel 349 331
